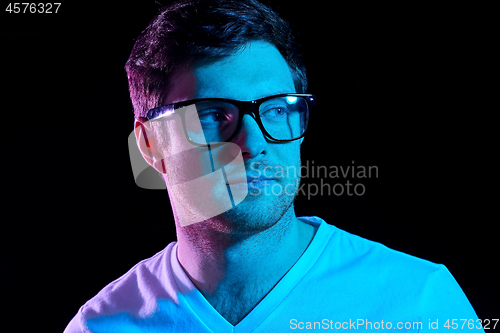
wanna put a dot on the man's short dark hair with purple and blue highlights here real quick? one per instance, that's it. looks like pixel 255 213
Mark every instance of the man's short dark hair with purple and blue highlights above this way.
pixel 196 32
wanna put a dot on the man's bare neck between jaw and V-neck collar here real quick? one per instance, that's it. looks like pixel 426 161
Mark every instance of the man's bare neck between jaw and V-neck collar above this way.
pixel 225 266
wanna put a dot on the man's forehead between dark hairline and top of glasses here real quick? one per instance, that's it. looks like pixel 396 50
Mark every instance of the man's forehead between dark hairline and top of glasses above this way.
pixel 259 70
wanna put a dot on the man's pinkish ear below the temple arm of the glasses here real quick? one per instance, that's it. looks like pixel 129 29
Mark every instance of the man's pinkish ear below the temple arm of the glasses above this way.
pixel 147 144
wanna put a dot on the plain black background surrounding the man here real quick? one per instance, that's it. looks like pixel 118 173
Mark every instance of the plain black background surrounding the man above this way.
pixel 404 88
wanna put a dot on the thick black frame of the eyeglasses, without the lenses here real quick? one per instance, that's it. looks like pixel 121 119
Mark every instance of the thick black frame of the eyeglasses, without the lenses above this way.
pixel 244 107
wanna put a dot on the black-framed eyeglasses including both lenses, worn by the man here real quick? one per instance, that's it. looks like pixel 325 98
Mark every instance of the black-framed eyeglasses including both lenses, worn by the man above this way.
pixel 213 121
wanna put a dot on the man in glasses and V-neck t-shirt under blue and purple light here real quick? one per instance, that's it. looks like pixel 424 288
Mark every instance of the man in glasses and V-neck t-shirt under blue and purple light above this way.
pixel 219 97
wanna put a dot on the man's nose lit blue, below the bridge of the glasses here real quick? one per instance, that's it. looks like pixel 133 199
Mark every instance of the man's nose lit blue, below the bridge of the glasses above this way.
pixel 250 138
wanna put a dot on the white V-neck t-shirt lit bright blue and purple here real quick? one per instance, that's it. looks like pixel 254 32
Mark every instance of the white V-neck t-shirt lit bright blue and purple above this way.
pixel 341 282
